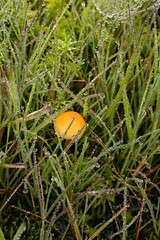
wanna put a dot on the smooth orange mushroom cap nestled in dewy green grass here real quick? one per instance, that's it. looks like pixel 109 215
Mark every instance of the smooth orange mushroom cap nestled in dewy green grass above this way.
pixel 64 120
